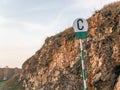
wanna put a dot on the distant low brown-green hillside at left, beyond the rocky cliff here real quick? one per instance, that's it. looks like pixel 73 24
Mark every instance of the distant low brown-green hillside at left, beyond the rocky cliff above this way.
pixel 10 79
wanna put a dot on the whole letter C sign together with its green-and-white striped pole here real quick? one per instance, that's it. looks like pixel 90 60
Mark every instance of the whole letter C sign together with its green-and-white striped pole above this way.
pixel 80 27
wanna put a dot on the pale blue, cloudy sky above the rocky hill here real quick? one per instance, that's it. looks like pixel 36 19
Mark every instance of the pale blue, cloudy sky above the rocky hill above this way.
pixel 25 24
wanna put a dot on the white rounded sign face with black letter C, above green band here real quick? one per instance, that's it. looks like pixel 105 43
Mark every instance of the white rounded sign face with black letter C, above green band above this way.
pixel 80 25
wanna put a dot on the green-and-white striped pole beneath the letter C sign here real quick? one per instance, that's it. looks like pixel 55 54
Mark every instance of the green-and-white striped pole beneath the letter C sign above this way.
pixel 83 66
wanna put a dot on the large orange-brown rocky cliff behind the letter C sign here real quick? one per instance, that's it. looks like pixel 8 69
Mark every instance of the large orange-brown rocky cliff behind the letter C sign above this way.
pixel 57 65
